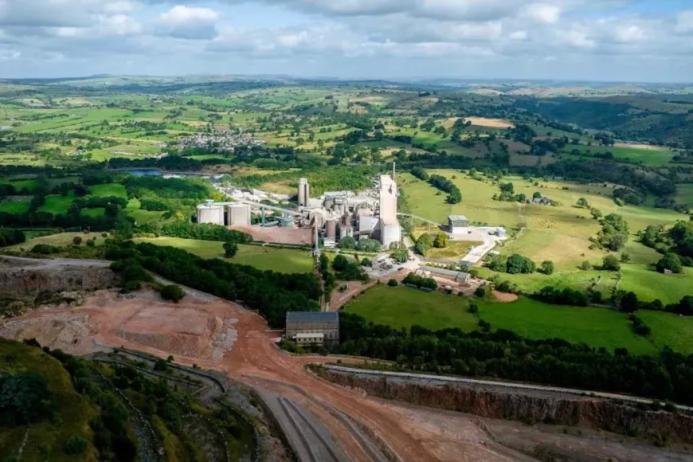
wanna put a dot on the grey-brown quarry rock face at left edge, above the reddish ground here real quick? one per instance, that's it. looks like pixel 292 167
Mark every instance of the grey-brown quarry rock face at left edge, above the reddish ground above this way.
pixel 23 276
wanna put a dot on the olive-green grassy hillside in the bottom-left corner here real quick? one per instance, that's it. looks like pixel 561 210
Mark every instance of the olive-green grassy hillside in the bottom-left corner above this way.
pixel 44 440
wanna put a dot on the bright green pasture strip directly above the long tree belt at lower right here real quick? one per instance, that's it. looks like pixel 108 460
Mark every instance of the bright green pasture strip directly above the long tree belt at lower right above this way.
pixel 402 307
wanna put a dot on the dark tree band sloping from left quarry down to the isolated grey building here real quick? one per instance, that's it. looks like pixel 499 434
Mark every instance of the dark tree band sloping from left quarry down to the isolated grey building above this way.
pixel 272 294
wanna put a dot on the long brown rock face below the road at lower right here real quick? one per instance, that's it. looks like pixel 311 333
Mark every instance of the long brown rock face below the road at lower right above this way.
pixel 524 405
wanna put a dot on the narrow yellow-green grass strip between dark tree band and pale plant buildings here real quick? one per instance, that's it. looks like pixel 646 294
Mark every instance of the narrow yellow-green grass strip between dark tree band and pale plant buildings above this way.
pixel 260 257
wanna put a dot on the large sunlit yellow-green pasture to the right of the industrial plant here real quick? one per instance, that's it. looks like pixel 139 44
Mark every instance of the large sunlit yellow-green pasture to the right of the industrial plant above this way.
pixel 558 233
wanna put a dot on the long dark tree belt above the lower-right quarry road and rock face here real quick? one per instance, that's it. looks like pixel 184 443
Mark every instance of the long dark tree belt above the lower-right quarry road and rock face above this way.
pixel 505 355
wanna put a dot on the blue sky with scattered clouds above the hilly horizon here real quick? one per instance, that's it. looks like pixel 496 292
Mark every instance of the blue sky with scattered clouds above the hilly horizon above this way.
pixel 574 40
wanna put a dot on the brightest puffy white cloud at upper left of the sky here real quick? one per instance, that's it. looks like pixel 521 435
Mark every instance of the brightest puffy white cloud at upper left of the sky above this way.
pixel 188 22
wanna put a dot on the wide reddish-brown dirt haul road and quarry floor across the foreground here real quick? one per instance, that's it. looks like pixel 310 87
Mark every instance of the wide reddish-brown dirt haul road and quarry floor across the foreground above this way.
pixel 217 334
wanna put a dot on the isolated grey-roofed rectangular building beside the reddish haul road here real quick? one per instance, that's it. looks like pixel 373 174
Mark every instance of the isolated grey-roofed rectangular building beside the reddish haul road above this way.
pixel 312 327
